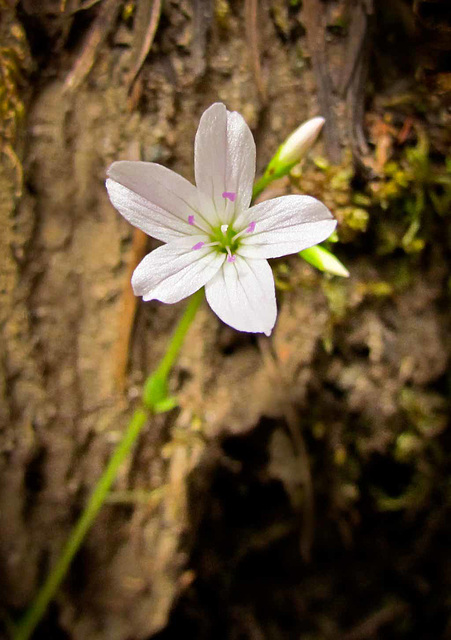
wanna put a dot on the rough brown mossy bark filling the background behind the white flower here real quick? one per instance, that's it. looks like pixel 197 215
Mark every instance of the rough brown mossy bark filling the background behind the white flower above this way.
pixel 300 490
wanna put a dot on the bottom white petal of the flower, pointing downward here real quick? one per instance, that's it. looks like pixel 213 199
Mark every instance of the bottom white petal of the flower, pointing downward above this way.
pixel 242 294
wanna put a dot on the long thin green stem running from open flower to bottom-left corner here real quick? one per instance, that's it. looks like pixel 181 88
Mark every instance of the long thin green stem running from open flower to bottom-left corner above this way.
pixel 139 419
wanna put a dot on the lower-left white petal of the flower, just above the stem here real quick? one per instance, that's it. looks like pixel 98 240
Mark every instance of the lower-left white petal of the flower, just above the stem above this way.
pixel 176 270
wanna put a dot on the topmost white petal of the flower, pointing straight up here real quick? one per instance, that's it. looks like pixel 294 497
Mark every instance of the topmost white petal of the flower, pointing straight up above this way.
pixel 224 160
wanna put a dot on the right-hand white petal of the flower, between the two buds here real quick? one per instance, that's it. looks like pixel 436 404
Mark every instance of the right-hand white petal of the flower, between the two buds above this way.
pixel 285 225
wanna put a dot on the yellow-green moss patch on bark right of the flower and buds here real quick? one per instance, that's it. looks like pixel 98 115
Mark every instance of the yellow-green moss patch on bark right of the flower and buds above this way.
pixel 402 199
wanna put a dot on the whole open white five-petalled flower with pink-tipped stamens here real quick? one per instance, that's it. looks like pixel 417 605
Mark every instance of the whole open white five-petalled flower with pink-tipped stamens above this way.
pixel 212 237
